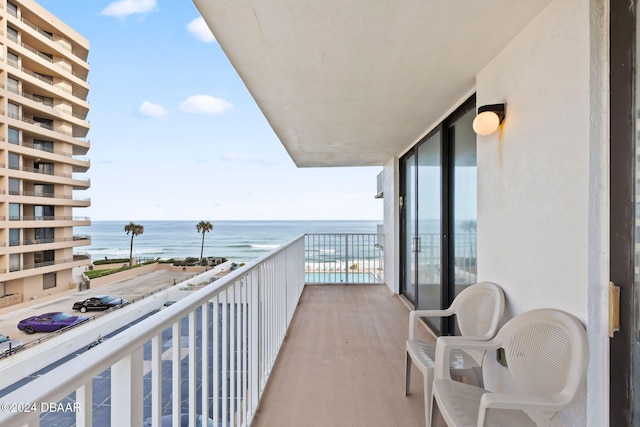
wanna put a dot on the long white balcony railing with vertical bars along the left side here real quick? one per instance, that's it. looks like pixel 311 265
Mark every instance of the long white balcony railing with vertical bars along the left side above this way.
pixel 214 350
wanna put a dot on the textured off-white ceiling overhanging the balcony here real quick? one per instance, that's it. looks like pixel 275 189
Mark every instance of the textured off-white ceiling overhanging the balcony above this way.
pixel 353 83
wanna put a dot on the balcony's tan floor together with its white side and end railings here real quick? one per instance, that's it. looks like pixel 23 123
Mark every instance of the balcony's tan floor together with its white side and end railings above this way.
pixel 338 361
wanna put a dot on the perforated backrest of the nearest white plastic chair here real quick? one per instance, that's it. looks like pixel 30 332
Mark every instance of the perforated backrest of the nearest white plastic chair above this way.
pixel 547 353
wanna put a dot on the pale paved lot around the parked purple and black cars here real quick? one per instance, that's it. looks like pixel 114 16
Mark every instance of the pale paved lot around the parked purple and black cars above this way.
pixel 63 301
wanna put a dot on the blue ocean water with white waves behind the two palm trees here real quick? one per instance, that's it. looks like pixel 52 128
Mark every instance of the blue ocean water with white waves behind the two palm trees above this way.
pixel 239 241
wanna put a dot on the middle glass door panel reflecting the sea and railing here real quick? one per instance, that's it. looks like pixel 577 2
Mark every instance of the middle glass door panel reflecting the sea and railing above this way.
pixel 427 246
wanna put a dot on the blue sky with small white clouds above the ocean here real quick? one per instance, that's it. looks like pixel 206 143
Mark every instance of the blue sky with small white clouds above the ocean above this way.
pixel 165 98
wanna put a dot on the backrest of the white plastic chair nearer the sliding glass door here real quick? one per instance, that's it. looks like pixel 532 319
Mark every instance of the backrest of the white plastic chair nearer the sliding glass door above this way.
pixel 479 309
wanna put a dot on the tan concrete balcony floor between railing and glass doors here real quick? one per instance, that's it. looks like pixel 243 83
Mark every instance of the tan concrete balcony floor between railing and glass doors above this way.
pixel 342 363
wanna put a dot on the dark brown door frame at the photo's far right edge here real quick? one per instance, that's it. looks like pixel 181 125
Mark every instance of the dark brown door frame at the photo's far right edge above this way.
pixel 622 205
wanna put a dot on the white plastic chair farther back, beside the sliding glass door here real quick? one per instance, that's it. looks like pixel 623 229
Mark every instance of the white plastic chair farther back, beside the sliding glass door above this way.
pixel 478 310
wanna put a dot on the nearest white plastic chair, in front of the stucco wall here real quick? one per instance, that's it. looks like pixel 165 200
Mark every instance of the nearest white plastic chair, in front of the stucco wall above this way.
pixel 547 355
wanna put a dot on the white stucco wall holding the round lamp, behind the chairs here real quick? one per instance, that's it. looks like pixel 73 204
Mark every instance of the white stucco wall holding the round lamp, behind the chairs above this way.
pixel 542 179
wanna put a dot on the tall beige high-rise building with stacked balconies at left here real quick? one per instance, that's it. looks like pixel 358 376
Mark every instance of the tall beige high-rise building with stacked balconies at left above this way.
pixel 43 129
